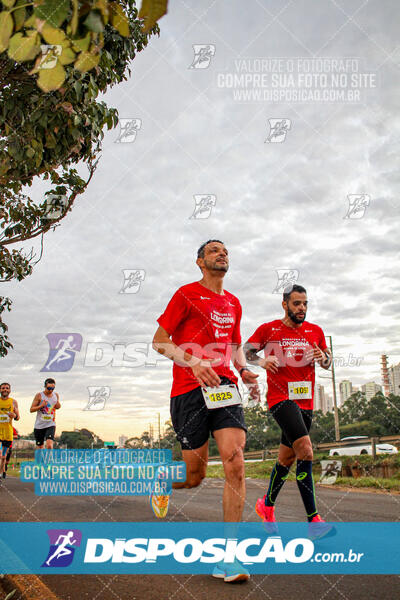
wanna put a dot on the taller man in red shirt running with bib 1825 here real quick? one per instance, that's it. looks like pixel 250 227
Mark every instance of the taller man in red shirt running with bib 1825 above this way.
pixel 200 332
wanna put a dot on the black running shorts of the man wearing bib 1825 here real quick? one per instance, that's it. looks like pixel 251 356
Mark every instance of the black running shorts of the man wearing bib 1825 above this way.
pixel 193 421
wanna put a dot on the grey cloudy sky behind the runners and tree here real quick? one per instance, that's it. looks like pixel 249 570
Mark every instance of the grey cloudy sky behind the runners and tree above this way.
pixel 279 200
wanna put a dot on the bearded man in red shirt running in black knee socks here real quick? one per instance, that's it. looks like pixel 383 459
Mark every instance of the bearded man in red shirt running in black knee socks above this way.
pixel 291 347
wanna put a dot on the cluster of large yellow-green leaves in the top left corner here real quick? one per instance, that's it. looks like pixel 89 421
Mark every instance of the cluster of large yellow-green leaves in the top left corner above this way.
pixel 49 38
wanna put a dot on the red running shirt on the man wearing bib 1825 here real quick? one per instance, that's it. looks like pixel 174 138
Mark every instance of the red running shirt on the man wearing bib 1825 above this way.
pixel 204 324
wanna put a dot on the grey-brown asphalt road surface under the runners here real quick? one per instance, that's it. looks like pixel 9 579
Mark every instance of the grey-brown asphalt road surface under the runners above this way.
pixel 19 503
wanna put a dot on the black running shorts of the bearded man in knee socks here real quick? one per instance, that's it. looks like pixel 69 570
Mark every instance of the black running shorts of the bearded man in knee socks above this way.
pixel 294 421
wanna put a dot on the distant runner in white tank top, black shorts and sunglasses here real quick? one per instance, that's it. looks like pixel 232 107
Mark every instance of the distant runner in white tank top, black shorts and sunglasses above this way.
pixel 45 405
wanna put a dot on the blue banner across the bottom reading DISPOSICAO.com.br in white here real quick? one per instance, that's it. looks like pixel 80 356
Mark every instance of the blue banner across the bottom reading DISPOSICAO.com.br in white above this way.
pixel 193 548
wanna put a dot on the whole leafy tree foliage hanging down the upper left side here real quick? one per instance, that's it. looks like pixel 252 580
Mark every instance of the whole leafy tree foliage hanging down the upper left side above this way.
pixel 48 134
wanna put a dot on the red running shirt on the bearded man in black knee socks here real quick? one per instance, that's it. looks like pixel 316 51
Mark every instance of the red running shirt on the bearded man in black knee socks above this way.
pixel 289 345
